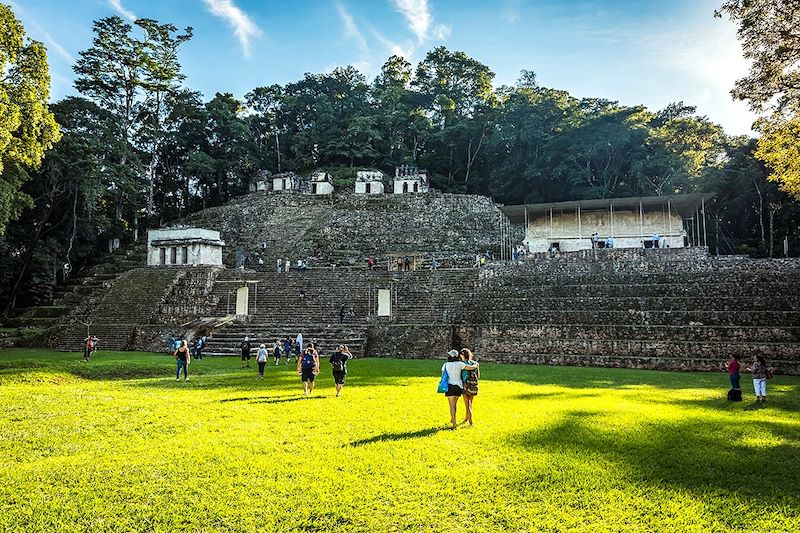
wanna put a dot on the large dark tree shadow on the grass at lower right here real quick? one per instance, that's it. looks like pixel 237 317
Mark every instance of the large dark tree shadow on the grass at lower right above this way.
pixel 699 455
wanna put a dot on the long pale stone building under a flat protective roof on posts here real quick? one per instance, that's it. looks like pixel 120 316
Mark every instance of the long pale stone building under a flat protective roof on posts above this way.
pixel 675 221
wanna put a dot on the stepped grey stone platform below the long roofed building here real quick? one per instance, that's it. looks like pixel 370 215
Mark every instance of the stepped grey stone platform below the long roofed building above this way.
pixel 661 315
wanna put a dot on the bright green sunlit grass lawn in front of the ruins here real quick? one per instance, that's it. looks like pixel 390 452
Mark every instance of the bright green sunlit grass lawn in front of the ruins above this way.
pixel 116 444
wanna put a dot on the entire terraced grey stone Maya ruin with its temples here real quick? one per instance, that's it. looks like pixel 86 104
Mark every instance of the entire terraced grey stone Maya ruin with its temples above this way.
pixel 671 307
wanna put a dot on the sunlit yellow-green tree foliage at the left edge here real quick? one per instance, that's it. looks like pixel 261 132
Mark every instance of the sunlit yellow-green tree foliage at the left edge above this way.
pixel 27 127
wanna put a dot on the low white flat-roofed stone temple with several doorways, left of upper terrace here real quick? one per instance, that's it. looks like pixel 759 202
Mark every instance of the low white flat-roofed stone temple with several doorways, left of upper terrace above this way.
pixel 184 247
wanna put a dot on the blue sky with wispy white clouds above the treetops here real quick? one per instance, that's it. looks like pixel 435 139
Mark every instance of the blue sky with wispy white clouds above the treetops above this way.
pixel 649 52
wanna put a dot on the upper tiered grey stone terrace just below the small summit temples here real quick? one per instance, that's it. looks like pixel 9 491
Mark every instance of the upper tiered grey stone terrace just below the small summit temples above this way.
pixel 346 229
